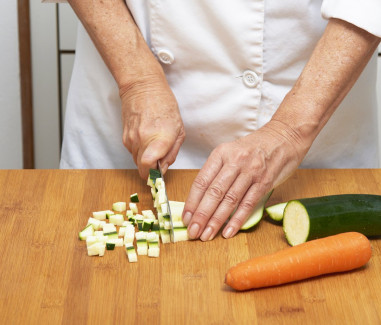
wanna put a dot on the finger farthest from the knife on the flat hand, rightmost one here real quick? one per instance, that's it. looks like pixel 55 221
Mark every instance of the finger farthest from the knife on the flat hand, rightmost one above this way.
pixel 244 210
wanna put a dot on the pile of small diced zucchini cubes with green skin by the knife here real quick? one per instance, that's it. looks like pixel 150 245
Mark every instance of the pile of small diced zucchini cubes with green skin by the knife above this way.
pixel 139 233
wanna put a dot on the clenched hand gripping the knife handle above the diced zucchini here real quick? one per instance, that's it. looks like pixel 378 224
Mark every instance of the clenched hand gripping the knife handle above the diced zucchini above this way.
pixel 152 125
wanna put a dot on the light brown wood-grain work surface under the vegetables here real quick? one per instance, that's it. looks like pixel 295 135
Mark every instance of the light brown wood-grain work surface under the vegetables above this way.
pixel 46 276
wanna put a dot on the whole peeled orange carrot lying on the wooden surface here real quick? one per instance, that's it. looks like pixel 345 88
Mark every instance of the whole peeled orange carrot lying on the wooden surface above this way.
pixel 337 253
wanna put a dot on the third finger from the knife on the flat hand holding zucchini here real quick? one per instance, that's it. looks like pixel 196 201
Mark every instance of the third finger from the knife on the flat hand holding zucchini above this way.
pixel 230 201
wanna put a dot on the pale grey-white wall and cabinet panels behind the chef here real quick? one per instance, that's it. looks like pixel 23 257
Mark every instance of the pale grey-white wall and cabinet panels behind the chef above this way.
pixel 46 82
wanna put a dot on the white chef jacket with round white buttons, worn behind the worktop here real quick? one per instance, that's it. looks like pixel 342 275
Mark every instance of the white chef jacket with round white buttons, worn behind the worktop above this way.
pixel 229 63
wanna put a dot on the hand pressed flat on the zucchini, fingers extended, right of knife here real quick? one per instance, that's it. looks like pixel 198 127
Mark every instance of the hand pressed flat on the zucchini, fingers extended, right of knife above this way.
pixel 237 175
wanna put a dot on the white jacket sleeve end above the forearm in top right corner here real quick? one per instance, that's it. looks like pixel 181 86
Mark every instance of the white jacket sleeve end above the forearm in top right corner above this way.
pixel 365 14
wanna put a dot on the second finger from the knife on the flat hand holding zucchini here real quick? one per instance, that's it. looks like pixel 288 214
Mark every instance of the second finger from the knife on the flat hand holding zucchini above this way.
pixel 211 199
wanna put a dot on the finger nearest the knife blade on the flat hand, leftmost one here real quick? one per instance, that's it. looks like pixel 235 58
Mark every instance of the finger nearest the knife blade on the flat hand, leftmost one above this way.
pixel 199 186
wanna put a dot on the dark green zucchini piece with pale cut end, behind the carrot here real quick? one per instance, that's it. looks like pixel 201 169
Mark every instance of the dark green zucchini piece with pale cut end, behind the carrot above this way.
pixel 311 218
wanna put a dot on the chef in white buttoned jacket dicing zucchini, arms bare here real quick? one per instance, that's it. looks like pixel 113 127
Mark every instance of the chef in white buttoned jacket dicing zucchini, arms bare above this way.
pixel 239 88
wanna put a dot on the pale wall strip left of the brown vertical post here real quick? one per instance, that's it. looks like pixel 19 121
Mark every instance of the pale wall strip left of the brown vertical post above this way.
pixel 10 112
